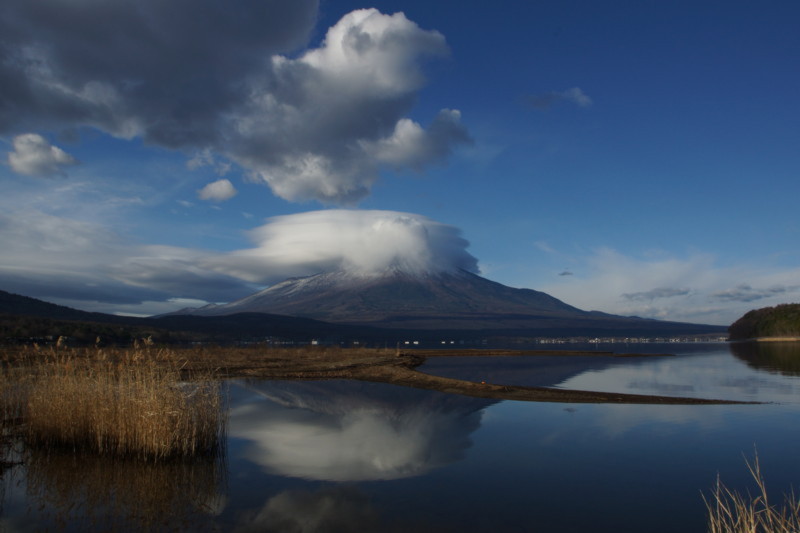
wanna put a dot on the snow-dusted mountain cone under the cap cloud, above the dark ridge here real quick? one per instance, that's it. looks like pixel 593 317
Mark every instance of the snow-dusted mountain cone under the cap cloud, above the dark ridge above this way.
pixel 442 301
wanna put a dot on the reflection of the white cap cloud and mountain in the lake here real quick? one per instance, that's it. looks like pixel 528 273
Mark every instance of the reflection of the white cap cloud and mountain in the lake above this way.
pixel 352 431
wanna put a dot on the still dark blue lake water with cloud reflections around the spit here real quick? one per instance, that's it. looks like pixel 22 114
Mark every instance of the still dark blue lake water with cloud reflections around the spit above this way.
pixel 351 456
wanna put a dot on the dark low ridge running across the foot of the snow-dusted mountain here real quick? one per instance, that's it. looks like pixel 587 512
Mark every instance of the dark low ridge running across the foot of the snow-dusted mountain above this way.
pixel 23 314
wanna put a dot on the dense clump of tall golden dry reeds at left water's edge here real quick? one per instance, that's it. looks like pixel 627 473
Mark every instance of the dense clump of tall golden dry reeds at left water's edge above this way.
pixel 122 403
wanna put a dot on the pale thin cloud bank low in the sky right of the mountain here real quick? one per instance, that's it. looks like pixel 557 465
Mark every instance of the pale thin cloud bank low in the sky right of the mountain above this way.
pixel 691 289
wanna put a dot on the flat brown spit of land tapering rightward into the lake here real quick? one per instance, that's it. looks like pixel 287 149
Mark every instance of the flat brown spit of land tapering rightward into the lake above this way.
pixel 363 364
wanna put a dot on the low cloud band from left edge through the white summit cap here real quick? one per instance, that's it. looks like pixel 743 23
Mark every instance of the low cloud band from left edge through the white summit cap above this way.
pixel 84 265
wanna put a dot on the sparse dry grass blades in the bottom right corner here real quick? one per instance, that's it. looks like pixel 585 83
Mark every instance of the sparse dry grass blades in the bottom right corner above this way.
pixel 731 512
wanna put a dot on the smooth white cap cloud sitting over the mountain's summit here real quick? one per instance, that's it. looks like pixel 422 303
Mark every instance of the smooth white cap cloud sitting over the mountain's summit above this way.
pixel 358 241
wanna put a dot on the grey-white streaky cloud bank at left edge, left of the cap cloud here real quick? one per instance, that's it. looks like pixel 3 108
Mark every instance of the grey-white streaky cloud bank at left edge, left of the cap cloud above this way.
pixel 85 265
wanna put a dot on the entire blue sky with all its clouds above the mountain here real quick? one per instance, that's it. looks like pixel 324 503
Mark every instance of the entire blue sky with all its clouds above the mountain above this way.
pixel 639 158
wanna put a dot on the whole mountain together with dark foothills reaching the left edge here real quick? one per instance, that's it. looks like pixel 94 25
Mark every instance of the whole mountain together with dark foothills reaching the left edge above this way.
pixel 531 313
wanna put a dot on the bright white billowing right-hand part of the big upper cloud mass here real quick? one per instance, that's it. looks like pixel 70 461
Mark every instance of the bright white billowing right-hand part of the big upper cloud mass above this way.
pixel 335 115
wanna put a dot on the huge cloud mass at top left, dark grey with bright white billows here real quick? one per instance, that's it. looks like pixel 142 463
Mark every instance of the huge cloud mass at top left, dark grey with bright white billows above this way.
pixel 205 77
